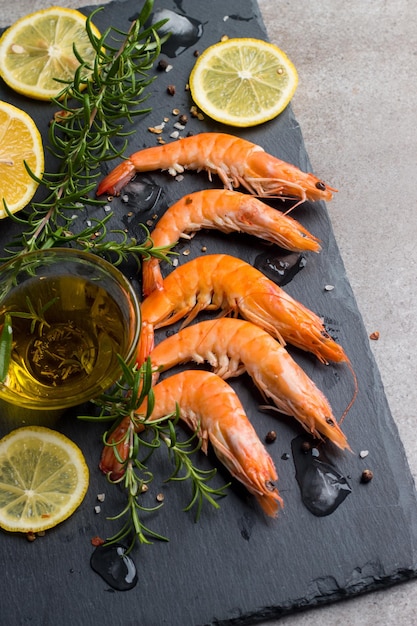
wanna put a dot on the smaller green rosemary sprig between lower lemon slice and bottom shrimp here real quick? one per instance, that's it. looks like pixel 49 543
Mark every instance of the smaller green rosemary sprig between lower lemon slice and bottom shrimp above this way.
pixel 142 434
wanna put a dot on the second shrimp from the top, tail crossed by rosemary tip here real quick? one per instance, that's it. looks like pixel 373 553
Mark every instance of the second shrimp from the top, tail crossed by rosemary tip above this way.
pixel 226 211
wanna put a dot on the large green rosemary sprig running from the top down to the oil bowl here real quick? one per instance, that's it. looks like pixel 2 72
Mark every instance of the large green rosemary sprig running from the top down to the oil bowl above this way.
pixel 85 131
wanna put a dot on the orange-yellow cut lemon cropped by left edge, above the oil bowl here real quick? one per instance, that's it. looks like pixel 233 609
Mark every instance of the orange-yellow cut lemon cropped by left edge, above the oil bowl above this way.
pixel 20 143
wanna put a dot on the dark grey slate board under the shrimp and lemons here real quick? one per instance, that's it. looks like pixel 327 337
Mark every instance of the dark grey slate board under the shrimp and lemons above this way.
pixel 234 566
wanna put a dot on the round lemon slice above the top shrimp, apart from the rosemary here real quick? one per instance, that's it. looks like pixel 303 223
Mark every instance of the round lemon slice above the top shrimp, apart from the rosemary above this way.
pixel 243 82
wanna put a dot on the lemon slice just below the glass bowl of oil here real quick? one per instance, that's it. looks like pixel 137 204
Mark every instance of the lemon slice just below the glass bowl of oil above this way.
pixel 43 479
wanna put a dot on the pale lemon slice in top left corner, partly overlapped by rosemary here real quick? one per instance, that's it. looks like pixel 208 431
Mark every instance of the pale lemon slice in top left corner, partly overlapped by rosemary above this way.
pixel 38 49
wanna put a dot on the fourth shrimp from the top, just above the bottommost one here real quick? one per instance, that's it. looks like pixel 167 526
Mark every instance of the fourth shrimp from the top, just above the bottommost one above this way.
pixel 232 347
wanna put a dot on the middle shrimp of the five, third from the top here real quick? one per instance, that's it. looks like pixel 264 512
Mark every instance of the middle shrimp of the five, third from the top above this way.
pixel 220 281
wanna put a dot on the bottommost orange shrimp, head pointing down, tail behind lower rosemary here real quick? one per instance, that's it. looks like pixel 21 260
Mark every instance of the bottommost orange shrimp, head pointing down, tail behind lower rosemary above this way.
pixel 211 408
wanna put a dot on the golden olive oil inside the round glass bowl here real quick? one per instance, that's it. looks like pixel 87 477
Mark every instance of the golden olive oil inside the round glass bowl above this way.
pixel 67 332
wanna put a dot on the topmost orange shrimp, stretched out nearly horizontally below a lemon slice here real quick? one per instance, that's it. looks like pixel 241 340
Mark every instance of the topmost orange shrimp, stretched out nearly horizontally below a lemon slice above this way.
pixel 236 161
